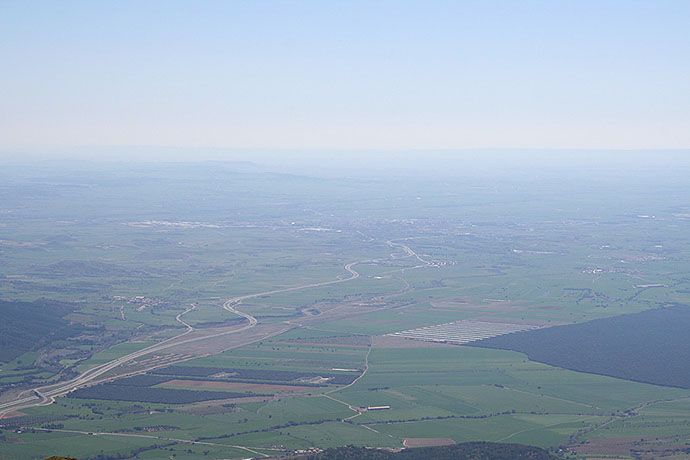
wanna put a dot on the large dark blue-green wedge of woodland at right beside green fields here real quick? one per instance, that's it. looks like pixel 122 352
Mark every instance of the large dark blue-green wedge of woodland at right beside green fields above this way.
pixel 647 347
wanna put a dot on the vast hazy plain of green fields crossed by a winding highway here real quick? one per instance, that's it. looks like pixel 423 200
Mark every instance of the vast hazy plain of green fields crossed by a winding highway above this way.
pixel 207 311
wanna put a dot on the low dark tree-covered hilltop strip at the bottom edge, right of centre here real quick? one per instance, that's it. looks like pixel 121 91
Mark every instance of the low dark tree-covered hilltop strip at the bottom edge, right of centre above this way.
pixel 463 451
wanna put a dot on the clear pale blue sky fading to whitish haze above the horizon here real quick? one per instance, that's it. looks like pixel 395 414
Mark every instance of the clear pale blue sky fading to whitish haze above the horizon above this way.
pixel 345 74
